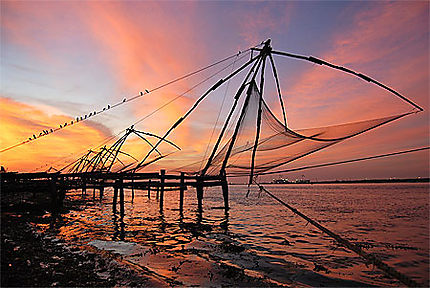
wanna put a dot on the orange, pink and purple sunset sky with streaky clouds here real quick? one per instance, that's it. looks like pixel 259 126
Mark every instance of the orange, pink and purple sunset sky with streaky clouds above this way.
pixel 64 59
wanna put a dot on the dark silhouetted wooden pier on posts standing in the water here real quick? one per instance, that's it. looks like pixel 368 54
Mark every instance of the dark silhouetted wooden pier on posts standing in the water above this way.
pixel 57 185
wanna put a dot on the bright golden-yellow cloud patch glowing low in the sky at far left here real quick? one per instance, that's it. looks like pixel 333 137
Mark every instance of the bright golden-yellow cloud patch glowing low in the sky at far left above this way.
pixel 20 121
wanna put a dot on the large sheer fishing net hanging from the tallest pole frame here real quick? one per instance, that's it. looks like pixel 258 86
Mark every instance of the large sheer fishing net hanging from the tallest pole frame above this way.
pixel 278 145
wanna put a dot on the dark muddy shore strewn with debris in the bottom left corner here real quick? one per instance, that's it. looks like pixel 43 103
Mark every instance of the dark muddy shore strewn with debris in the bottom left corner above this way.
pixel 34 259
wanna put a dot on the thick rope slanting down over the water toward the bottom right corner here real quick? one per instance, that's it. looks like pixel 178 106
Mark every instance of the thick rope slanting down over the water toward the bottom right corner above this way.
pixel 351 246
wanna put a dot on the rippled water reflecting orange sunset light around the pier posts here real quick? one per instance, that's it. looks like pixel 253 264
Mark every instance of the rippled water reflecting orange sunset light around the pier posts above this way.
pixel 264 238
